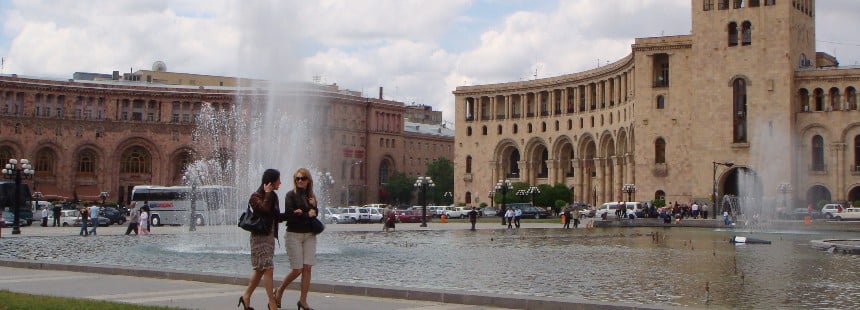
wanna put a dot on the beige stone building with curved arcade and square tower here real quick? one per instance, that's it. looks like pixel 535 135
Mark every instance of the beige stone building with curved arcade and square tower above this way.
pixel 743 105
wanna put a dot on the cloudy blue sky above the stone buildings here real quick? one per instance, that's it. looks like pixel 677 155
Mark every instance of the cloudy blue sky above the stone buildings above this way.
pixel 419 51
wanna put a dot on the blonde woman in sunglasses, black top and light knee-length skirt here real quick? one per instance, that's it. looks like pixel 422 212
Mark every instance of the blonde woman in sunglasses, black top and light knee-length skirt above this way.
pixel 300 206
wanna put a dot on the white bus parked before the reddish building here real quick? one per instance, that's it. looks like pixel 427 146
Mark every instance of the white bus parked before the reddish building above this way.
pixel 171 205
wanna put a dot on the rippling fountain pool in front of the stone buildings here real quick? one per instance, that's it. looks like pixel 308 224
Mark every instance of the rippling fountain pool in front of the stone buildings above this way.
pixel 655 266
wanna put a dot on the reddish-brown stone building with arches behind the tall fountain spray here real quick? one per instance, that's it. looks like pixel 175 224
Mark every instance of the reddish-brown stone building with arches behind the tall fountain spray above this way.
pixel 100 134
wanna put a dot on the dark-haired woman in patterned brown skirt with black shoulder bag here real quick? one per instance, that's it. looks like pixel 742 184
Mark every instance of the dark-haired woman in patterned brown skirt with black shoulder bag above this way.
pixel 264 202
